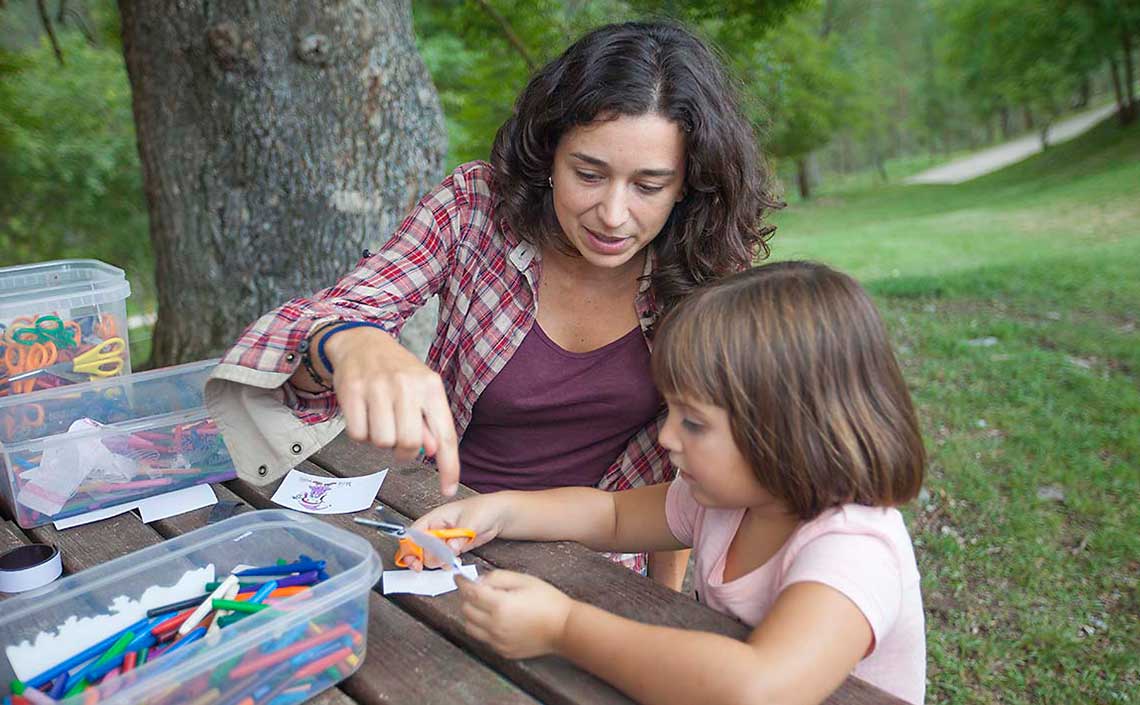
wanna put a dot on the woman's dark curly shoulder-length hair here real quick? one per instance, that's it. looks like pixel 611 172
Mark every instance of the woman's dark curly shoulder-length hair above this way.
pixel 631 70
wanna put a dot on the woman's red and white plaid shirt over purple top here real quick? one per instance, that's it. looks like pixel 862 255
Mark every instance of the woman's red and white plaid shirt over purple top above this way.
pixel 486 279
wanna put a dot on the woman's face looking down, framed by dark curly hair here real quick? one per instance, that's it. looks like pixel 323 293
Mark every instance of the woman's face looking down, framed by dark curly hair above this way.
pixel 616 183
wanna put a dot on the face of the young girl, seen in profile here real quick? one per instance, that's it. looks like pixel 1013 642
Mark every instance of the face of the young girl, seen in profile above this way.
pixel 701 444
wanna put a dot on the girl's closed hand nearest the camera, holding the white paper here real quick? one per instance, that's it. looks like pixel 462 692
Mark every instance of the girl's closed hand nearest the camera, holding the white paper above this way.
pixel 518 615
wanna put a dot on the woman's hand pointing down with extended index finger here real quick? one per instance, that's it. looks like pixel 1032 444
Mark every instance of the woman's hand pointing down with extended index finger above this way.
pixel 392 400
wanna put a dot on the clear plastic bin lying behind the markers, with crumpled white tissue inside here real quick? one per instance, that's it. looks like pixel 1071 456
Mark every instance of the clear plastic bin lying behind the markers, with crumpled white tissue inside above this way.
pixel 72 450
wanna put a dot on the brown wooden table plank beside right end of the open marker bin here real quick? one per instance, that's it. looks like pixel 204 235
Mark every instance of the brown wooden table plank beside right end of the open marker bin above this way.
pixel 405 662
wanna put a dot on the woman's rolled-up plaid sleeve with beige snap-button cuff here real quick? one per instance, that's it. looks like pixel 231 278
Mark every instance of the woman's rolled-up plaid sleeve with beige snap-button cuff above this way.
pixel 270 426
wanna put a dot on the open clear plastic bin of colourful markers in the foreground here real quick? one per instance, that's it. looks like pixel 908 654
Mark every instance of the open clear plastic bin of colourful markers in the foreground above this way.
pixel 279 653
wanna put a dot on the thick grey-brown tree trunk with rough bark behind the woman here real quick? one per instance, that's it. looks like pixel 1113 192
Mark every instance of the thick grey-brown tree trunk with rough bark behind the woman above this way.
pixel 279 140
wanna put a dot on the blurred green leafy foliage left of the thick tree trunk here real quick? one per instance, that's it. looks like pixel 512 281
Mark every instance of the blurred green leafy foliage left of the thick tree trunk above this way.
pixel 69 166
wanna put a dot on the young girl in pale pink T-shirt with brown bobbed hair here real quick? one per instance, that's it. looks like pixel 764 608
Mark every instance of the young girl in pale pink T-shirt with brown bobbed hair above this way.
pixel 794 439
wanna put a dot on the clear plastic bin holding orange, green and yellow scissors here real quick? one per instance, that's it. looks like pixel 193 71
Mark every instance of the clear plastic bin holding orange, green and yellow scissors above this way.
pixel 66 319
